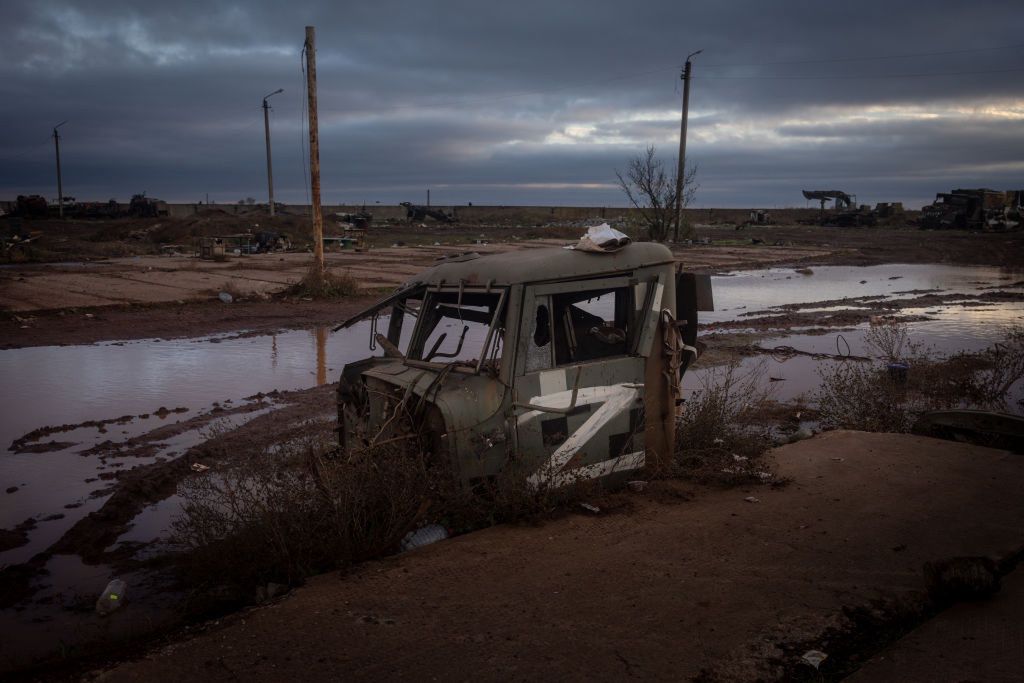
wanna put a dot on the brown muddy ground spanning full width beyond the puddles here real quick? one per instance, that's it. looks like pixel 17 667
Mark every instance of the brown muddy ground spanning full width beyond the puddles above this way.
pixel 176 296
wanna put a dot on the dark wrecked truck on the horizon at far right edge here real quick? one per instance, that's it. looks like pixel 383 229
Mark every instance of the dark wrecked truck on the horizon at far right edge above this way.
pixel 974 210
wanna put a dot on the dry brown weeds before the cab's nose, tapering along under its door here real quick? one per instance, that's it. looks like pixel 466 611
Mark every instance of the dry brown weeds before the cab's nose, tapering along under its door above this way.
pixel 307 509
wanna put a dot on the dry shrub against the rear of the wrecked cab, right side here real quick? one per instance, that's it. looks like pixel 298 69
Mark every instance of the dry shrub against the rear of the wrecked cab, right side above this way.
pixel 718 440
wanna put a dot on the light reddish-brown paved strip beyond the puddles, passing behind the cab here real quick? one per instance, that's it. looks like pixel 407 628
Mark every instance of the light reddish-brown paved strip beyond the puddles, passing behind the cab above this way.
pixel 173 297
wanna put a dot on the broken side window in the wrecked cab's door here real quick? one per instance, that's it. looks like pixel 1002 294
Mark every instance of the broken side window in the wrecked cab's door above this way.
pixel 592 325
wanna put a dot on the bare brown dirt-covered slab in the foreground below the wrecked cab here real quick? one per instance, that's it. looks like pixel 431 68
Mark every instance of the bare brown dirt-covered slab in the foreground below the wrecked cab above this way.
pixel 690 585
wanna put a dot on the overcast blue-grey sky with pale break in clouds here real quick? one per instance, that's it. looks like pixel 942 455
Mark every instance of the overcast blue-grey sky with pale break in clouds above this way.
pixel 514 103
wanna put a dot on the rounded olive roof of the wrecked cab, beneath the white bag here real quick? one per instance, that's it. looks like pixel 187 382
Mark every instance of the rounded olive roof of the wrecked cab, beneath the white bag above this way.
pixel 540 265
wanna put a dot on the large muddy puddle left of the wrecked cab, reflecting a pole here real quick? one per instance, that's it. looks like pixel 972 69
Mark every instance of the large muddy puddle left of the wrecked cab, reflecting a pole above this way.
pixel 91 403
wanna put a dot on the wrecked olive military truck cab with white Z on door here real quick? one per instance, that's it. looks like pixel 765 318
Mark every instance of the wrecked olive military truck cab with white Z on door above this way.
pixel 558 365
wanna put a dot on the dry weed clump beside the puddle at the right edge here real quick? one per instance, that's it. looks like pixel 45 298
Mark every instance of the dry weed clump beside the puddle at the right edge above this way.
pixel 876 397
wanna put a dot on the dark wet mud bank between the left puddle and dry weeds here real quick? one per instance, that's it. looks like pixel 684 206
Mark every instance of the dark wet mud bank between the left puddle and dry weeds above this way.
pixel 122 531
